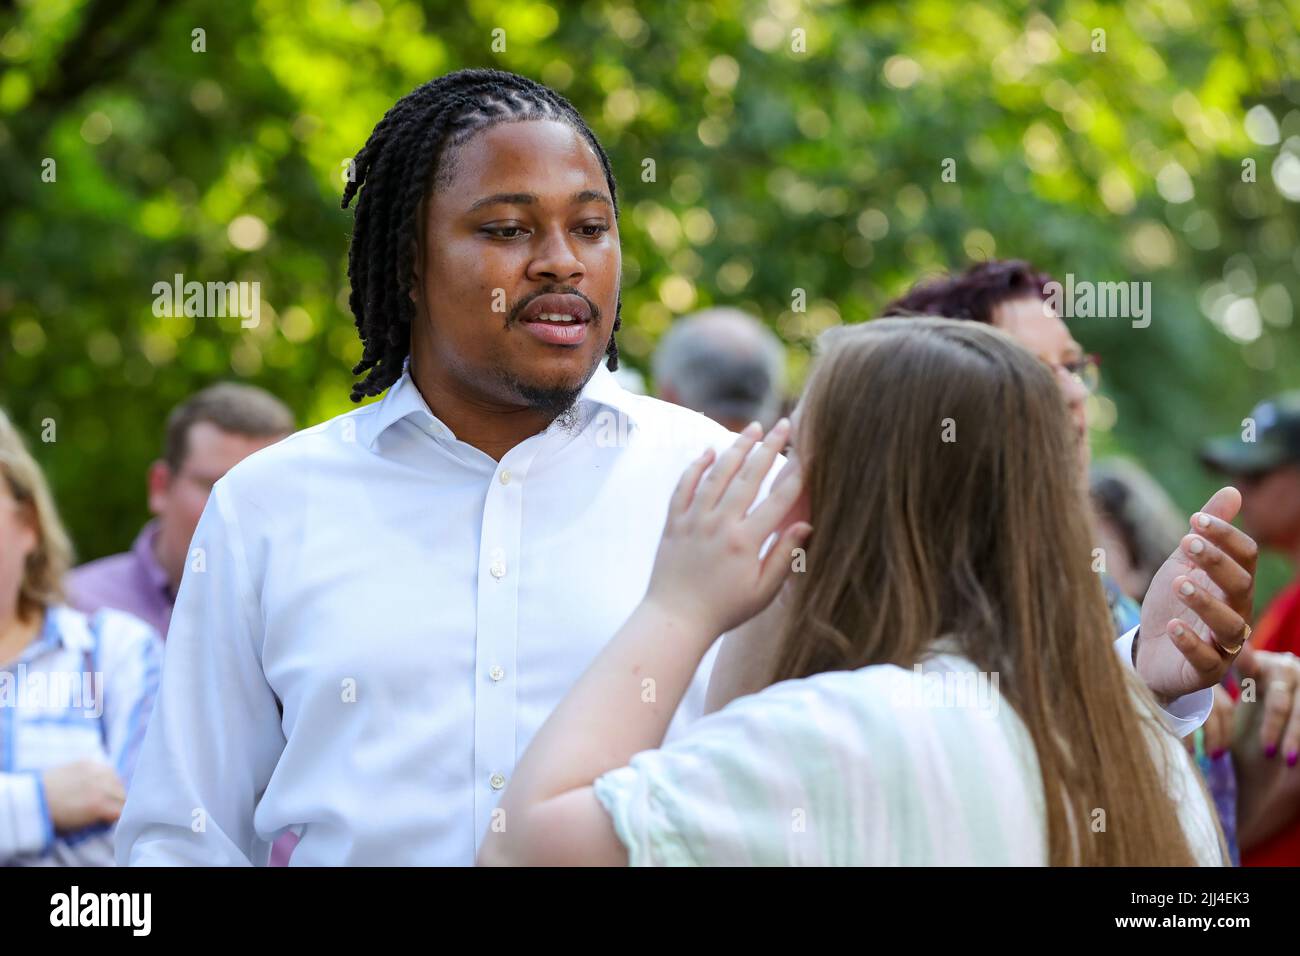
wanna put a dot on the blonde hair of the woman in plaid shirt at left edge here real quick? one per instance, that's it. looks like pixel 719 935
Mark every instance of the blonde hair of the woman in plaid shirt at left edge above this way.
pixel 50 560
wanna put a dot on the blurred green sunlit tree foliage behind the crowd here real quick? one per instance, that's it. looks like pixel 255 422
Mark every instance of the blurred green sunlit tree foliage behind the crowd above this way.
pixel 783 161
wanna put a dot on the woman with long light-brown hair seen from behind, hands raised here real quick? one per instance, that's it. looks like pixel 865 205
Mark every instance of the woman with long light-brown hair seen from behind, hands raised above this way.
pixel 943 687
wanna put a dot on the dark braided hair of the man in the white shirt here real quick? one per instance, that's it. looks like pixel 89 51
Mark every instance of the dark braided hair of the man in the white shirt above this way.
pixel 402 161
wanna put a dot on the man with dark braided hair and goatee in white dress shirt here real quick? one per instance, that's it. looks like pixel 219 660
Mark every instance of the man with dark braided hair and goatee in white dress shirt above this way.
pixel 380 612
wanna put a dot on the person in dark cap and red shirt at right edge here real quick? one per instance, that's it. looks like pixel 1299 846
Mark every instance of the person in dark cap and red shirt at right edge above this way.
pixel 1264 464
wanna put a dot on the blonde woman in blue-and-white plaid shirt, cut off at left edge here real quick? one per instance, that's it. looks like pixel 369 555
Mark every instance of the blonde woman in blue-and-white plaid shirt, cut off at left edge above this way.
pixel 76 691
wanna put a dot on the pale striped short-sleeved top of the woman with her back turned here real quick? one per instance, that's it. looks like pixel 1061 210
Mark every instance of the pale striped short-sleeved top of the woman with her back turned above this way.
pixel 878 767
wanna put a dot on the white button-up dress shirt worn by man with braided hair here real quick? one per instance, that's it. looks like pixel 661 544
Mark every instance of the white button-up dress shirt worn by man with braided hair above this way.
pixel 415 609
